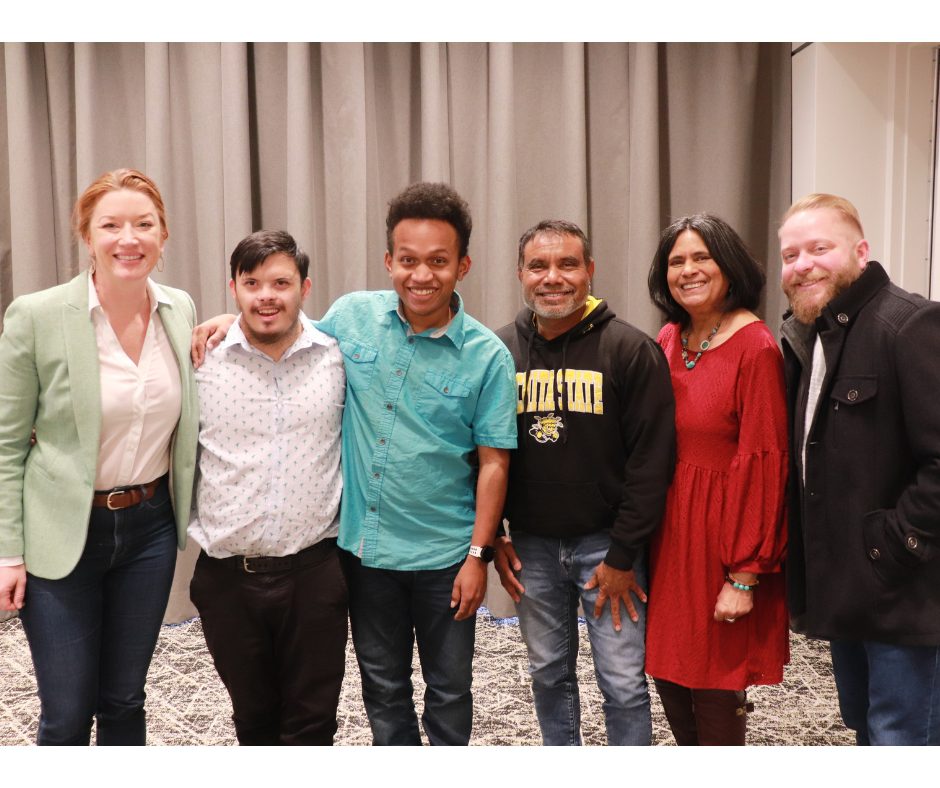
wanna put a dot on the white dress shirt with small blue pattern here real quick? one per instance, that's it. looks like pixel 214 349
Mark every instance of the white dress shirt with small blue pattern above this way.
pixel 269 480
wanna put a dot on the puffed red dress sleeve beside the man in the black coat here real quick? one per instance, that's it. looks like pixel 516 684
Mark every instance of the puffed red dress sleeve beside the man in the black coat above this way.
pixel 754 532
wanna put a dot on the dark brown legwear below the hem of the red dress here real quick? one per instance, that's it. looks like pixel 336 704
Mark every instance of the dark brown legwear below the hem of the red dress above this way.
pixel 704 717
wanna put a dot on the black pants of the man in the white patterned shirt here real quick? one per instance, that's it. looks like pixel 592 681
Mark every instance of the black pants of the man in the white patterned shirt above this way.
pixel 278 640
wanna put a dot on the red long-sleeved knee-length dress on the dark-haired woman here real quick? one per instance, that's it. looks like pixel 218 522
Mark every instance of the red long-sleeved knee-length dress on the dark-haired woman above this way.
pixel 724 512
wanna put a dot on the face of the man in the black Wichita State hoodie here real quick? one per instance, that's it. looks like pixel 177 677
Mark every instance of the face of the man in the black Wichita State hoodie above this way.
pixel 556 280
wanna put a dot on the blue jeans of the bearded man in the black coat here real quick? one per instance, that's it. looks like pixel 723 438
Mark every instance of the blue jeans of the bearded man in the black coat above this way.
pixel 888 694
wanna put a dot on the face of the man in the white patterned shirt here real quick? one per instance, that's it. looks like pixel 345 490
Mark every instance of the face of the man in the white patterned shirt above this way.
pixel 269 298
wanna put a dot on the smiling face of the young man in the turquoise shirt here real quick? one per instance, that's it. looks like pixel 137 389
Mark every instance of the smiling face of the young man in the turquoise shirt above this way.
pixel 425 266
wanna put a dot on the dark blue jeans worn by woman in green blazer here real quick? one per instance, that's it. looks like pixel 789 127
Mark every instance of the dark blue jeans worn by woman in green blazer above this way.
pixel 92 633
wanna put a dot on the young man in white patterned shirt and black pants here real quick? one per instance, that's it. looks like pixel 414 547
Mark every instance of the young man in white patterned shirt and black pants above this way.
pixel 268 583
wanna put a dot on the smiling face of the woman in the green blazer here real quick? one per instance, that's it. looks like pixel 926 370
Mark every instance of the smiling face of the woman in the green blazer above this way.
pixel 125 238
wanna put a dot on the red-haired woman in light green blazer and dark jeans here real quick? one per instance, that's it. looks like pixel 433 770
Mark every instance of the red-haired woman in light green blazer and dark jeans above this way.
pixel 92 514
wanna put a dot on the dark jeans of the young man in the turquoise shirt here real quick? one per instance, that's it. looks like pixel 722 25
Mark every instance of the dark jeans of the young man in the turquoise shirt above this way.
pixel 388 610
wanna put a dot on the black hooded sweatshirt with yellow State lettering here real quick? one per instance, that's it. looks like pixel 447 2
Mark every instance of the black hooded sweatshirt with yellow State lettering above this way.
pixel 598 451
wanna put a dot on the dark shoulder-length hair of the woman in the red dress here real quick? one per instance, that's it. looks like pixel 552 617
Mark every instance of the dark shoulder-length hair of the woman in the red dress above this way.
pixel 744 274
